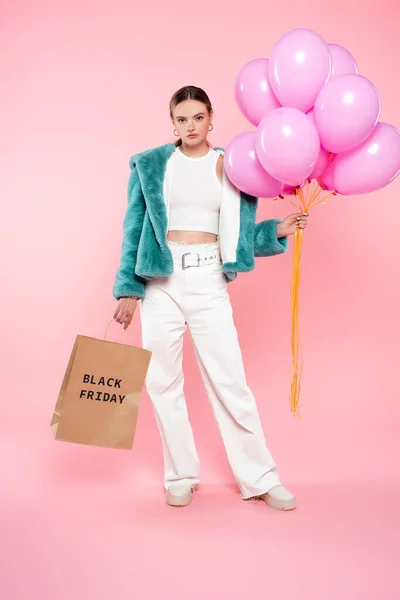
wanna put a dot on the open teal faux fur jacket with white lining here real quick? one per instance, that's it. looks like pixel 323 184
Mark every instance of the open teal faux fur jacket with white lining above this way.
pixel 145 254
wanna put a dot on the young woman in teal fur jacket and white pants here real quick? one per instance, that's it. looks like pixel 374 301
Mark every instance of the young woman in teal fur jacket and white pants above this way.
pixel 188 232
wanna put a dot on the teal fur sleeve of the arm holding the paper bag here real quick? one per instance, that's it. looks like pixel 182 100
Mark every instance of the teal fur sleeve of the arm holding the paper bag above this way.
pixel 127 283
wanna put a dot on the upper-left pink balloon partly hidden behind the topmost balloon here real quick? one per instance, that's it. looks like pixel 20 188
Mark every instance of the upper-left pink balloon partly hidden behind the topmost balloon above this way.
pixel 253 92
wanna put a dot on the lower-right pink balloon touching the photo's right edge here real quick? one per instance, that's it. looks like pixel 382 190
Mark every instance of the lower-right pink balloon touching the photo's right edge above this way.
pixel 372 165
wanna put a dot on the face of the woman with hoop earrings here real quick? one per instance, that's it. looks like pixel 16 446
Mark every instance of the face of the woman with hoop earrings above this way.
pixel 192 121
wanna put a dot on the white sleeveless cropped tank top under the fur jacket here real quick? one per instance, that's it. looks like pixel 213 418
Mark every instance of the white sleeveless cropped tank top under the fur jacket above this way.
pixel 194 192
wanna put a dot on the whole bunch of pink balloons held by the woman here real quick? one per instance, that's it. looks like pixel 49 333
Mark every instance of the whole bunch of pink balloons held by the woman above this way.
pixel 316 118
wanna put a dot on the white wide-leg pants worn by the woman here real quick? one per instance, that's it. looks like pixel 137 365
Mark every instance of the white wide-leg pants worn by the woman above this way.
pixel 197 298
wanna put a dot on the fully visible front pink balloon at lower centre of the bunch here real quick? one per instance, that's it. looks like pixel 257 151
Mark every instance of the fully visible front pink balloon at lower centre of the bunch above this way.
pixel 287 145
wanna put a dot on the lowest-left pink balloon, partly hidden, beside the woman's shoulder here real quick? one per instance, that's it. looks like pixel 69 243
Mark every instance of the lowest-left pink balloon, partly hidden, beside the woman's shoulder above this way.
pixel 245 170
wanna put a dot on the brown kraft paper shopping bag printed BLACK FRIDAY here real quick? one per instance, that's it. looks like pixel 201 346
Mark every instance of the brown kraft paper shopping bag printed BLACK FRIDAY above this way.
pixel 99 399
